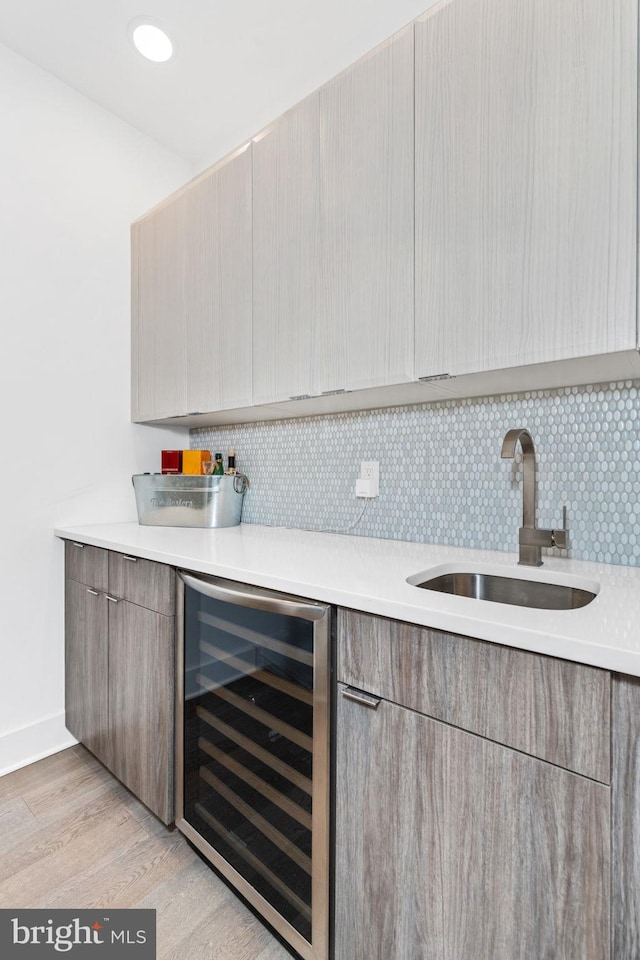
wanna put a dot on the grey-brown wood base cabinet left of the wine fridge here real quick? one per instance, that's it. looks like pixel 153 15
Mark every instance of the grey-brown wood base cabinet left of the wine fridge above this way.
pixel 119 668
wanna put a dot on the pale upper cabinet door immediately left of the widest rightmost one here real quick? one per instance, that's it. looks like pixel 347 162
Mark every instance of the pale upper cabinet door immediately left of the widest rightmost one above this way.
pixel 364 336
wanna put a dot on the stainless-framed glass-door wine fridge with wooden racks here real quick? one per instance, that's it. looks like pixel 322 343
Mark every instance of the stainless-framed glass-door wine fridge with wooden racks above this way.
pixel 252 748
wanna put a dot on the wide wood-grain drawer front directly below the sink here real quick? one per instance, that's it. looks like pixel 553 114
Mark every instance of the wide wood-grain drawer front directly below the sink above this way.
pixel 549 708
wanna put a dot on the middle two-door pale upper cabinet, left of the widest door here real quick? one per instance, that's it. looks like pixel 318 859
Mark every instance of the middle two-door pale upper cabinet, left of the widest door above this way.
pixel 333 234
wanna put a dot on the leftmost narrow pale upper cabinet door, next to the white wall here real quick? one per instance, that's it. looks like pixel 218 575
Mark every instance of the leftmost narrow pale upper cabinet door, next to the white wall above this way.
pixel 158 312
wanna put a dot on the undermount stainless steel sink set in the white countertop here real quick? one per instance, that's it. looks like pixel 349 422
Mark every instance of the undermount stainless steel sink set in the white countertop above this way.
pixel 497 588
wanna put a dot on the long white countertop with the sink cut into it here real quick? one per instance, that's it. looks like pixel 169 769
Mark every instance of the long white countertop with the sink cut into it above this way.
pixel 370 575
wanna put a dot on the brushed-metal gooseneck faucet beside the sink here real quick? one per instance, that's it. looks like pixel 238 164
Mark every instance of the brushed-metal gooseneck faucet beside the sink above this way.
pixel 530 538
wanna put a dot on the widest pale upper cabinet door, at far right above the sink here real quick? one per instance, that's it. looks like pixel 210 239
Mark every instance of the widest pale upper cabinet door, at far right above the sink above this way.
pixel 525 182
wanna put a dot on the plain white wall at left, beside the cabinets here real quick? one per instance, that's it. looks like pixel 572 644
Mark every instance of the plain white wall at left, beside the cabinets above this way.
pixel 72 178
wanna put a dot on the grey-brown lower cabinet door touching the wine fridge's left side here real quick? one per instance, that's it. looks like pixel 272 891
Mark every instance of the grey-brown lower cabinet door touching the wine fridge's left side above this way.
pixel 141 691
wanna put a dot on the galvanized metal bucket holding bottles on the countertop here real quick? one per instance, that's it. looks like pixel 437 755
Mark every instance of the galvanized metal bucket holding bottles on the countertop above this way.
pixel 189 501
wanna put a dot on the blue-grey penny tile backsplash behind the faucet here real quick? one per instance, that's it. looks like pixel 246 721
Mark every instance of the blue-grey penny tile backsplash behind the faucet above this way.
pixel 441 476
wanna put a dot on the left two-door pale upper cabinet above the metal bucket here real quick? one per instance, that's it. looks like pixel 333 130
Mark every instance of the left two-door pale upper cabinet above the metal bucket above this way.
pixel 191 297
